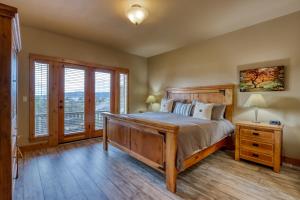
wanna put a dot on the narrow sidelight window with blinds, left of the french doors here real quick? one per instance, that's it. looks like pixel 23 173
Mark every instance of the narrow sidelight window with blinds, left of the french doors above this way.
pixel 41 98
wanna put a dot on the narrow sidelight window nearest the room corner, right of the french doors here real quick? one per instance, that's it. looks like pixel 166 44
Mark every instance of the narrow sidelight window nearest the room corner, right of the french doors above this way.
pixel 123 93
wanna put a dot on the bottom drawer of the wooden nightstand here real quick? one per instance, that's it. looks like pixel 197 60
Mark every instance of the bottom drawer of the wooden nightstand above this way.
pixel 256 157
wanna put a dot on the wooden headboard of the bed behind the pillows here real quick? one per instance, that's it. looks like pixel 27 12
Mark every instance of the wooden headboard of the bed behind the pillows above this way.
pixel 223 94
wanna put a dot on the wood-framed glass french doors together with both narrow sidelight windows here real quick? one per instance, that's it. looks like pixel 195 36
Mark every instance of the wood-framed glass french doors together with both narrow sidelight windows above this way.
pixel 67 98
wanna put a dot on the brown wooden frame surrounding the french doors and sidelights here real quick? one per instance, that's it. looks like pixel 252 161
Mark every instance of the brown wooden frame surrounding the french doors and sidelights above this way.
pixel 55 64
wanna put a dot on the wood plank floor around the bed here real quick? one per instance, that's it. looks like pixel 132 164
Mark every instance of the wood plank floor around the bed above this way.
pixel 82 170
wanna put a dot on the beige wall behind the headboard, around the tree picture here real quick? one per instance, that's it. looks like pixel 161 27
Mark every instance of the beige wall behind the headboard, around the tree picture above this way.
pixel 217 61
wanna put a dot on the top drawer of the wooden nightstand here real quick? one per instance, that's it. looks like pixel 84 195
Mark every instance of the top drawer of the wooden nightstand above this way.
pixel 257 134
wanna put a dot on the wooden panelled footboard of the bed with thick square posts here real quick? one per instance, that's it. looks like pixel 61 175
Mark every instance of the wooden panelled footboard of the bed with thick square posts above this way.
pixel 153 143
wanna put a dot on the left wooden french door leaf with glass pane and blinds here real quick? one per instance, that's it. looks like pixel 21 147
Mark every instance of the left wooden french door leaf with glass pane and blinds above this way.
pixel 73 103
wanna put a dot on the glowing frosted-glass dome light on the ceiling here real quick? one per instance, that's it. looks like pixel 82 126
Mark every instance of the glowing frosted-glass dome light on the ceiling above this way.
pixel 137 14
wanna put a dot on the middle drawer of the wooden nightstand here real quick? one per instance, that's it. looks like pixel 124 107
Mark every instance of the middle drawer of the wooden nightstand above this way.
pixel 265 148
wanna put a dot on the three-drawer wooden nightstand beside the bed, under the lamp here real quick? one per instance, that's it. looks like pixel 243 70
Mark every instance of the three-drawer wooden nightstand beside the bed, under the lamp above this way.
pixel 259 142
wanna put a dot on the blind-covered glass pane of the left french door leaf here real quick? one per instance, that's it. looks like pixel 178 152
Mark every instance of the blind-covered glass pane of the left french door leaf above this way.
pixel 74 100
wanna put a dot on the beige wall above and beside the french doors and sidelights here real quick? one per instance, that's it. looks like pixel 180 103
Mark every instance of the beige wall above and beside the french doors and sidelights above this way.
pixel 50 44
